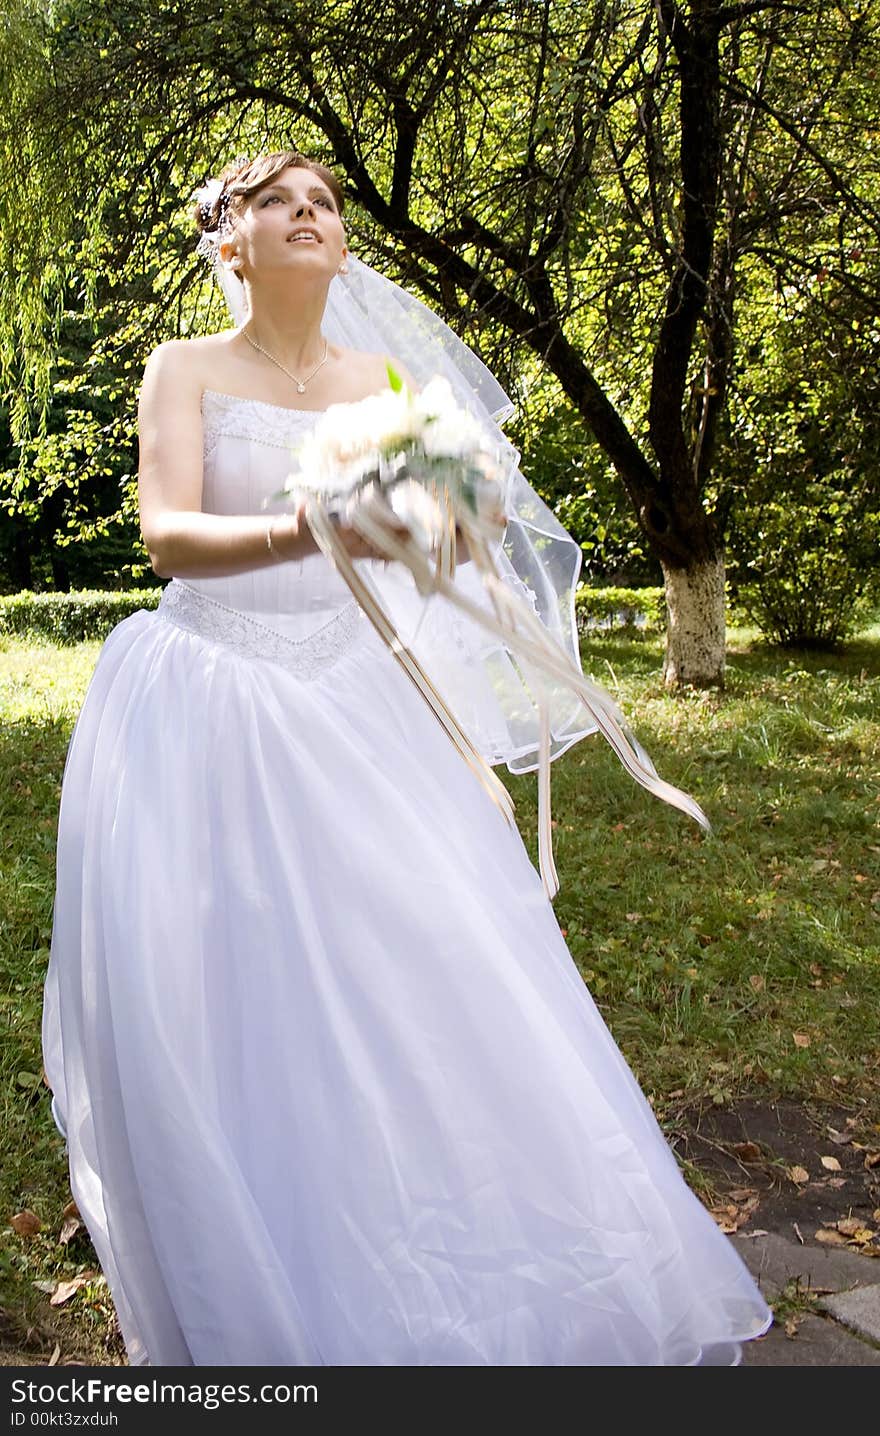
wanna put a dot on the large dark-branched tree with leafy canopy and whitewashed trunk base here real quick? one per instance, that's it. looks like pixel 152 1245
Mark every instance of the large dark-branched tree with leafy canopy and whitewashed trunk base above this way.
pixel 586 182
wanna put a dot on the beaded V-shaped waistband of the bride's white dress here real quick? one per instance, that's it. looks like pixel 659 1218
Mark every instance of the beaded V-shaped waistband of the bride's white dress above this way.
pixel 308 657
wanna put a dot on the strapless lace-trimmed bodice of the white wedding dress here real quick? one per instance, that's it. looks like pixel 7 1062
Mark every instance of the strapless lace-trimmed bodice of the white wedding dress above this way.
pixel 249 452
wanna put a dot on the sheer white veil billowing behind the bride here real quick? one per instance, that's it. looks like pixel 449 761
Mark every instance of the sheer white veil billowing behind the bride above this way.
pixel 493 694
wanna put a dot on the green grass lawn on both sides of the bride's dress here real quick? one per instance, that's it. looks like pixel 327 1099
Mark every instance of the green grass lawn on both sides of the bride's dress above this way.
pixel 707 954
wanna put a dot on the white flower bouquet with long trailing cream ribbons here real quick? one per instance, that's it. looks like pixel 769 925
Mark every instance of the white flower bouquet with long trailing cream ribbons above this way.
pixel 413 473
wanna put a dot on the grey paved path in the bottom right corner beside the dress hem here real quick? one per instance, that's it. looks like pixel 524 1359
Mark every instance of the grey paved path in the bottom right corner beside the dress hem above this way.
pixel 846 1326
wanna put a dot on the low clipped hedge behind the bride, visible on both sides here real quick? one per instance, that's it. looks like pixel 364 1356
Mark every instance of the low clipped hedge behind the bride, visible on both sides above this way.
pixel 71 618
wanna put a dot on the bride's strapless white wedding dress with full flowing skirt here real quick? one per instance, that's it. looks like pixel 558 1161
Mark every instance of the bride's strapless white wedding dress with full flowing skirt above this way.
pixel 332 1086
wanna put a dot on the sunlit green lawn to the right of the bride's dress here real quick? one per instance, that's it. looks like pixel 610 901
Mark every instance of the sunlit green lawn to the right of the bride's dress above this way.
pixel 707 954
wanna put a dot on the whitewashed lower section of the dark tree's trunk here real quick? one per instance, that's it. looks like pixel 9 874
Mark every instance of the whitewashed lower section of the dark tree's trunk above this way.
pixel 696 634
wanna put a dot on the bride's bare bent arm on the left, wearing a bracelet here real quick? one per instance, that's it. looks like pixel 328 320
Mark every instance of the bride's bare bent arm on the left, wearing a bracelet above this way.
pixel 180 538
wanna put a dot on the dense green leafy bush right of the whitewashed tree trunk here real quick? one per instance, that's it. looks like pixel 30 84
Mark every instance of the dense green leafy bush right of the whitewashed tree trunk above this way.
pixel 803 454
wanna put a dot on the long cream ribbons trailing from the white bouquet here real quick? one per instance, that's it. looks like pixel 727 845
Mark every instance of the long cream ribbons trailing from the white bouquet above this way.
pixel 512 621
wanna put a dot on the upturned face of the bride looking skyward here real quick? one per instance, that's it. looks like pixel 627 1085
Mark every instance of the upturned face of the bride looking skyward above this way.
pixel 292 226
